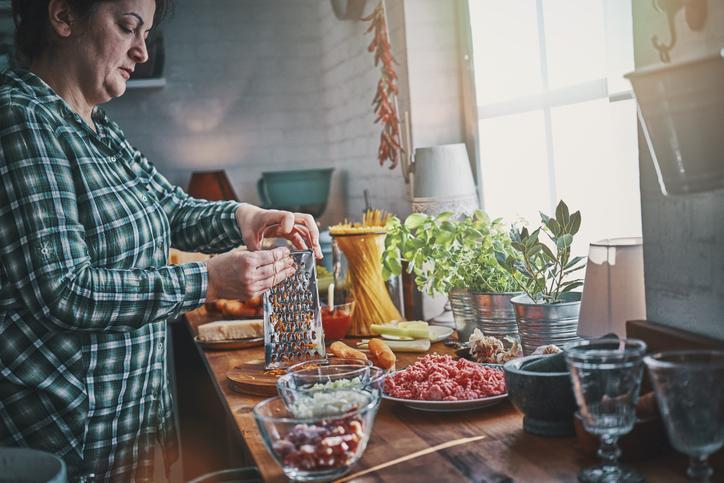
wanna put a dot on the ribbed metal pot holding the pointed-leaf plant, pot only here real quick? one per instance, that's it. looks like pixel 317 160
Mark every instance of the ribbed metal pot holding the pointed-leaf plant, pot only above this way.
pixel 543 324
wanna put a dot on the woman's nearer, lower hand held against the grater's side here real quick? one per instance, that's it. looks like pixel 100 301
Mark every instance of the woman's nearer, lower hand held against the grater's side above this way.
pixel 240 274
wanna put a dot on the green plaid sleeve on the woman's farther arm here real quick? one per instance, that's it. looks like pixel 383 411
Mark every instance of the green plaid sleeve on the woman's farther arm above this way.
pixel 196 225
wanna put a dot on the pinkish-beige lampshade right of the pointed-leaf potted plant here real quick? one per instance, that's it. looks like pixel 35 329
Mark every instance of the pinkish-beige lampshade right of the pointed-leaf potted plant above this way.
pixel 613 291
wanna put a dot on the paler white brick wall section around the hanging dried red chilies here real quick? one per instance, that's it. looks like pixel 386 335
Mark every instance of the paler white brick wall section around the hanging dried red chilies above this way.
pixel 349 82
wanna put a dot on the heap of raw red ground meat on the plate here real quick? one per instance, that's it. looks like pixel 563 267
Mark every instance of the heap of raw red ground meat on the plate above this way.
pixel 436 377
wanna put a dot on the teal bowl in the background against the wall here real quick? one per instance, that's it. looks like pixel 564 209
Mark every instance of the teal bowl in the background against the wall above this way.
pixel 302 190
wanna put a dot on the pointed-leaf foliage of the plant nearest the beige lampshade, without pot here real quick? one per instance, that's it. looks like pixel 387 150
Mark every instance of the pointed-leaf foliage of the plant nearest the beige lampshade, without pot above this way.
pixel 542 273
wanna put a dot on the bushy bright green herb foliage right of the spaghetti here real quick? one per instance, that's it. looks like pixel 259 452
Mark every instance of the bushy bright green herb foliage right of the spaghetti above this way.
pixel 446 253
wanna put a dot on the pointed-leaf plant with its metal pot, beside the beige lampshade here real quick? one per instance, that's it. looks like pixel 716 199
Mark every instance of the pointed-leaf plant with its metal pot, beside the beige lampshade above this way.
pixel 547 313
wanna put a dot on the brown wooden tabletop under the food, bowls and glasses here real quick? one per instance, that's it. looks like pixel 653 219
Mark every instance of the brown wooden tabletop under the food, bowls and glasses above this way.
pixel 506 453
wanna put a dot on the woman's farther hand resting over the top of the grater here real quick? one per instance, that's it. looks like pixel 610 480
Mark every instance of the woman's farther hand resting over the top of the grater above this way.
pixel 299 228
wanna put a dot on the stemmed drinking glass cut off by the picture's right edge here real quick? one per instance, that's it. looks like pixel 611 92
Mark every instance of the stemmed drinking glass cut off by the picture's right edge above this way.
pixel 689 389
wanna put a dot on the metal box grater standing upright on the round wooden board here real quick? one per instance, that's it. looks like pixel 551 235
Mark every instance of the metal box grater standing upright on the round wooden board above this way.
pixel 292 319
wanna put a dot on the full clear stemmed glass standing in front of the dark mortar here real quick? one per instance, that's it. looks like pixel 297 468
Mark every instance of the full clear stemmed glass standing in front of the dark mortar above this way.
pixel 606 376
